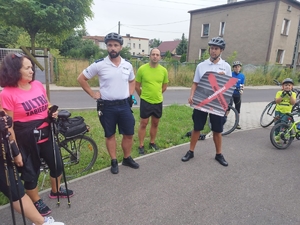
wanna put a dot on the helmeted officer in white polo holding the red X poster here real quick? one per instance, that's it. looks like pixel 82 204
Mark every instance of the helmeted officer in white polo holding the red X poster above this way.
pixel 215 64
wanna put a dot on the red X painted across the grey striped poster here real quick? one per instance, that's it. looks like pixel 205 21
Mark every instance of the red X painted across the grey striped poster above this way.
pixel 218 92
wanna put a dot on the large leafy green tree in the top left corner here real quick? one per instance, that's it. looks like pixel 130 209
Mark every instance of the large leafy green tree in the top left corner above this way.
pixel 53 17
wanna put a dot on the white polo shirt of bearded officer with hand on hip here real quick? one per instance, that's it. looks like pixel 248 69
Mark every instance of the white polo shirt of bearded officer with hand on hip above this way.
pixel 113 80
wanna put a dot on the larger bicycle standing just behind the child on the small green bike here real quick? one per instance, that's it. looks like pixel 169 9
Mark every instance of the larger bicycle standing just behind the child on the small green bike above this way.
pixel 268 115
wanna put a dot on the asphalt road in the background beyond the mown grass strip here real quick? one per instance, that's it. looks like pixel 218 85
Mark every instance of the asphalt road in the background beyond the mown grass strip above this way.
pixel 78 99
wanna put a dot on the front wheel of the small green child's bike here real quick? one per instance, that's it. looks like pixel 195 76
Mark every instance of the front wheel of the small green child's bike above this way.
pixel 281 136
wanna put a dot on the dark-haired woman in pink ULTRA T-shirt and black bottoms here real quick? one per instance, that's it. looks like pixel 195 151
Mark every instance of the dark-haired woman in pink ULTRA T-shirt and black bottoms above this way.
pixel 25 100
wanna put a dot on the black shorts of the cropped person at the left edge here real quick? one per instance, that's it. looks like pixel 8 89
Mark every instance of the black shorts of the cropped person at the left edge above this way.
pixel 3 183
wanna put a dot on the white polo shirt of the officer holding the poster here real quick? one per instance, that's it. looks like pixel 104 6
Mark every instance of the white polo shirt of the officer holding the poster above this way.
pixel 208 65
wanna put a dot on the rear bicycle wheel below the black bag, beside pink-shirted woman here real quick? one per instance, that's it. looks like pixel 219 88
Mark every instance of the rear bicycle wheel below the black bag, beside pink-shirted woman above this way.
pixel 79 154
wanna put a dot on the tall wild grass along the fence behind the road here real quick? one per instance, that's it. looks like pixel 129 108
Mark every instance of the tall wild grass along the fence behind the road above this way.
pixel 67 71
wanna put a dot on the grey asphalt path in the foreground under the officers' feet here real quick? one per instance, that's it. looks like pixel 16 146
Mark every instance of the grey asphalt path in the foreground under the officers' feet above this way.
pixel 259 187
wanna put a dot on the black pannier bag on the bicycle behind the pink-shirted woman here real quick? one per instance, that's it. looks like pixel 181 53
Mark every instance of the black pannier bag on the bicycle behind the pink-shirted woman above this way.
pixel 72 126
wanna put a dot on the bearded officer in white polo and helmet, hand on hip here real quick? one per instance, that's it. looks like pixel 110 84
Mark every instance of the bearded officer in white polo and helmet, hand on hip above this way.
pixel 117 84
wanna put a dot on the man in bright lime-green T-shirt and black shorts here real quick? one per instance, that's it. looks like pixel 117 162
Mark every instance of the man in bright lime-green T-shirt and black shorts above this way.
pixel 151 82
